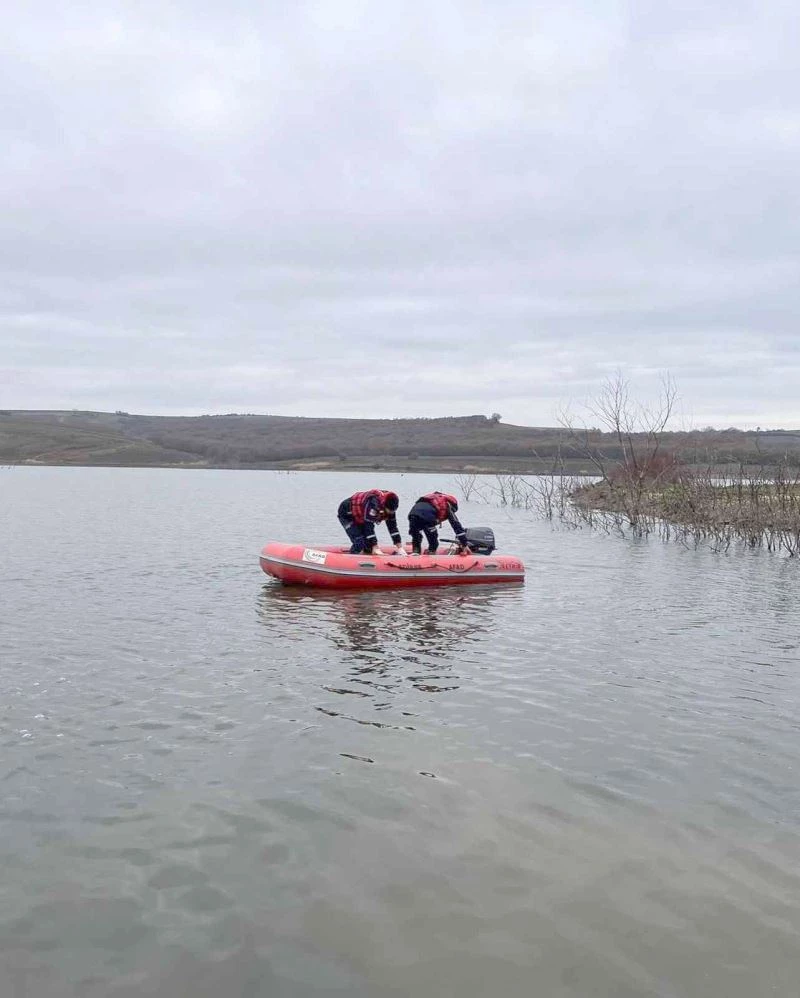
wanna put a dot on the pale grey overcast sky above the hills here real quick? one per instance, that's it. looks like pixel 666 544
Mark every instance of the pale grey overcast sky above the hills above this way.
pixel 354 208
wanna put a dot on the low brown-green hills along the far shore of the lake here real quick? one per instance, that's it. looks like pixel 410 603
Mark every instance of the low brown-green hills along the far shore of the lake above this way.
pixel 458 443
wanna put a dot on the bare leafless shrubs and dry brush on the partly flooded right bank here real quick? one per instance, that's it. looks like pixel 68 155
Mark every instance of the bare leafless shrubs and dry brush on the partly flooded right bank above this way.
pixel 642 488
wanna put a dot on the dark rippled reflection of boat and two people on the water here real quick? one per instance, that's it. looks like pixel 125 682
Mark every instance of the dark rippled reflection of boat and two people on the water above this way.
pixel 384 633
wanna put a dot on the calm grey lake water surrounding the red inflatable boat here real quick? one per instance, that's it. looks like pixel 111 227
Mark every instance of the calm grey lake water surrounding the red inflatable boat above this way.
pixel 216 787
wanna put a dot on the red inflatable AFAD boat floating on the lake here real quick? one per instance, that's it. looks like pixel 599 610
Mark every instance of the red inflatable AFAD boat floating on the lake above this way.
pixel 336 568
